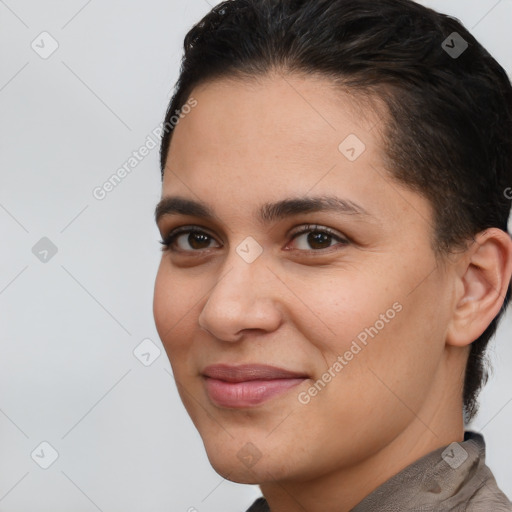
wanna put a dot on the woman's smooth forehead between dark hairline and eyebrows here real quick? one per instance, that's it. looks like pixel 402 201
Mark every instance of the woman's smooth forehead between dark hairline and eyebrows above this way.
pixel 248 143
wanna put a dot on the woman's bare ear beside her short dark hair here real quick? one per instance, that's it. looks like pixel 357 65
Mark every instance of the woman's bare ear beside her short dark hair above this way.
pixel 484 274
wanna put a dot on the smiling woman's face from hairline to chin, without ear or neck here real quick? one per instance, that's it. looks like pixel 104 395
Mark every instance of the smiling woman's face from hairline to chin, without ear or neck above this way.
pixel 312 260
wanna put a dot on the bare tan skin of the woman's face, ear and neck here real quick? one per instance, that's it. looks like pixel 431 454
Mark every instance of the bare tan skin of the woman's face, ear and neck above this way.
pixel 299 306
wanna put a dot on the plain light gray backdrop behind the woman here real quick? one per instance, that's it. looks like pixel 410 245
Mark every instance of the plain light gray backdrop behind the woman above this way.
pixel 68 327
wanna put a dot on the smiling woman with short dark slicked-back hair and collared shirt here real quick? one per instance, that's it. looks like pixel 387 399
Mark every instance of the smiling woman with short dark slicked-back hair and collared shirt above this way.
pixel 336 189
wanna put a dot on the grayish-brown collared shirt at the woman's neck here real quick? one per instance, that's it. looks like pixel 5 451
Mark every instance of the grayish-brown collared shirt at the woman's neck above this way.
pixel 451 479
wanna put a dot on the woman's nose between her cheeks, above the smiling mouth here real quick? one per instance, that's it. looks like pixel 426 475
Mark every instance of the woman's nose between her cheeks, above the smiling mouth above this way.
pixel 245 297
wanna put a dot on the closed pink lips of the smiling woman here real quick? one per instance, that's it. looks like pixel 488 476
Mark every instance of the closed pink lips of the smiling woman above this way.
pixel 247 385
